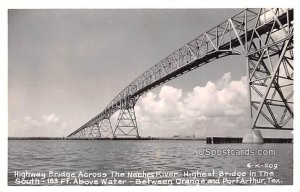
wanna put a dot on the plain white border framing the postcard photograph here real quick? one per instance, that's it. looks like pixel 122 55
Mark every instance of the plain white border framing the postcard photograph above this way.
pixel 90 4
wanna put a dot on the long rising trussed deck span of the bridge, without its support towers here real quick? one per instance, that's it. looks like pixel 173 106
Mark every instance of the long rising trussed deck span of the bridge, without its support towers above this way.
pixel 235 36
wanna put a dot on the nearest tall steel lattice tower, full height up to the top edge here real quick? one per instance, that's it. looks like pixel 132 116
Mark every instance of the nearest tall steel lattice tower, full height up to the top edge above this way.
pixel 270 74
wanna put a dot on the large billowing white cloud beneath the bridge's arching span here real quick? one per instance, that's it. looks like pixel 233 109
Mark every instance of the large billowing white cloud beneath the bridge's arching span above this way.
pixel 218 108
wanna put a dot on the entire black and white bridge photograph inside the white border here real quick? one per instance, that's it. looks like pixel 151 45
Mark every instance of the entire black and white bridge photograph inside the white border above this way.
pixel 150 97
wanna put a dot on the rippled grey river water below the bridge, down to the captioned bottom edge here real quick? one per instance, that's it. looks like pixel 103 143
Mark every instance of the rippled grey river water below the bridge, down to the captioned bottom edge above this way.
pixel 105 156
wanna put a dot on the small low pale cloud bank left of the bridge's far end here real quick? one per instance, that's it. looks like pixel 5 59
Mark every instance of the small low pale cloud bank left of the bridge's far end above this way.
pixel 48 125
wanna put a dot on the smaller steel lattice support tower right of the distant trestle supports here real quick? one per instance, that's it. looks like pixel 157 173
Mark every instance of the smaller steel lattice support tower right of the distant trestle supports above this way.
pixel 126 124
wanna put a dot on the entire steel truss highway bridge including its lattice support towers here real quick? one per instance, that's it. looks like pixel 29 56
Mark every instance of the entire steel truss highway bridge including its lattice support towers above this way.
pixel 263 36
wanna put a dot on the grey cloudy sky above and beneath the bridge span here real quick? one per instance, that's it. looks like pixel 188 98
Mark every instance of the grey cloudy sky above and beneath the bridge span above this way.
pixel 65 66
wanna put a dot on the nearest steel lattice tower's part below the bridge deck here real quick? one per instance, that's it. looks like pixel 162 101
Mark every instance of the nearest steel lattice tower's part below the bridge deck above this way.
pixel 271 87
